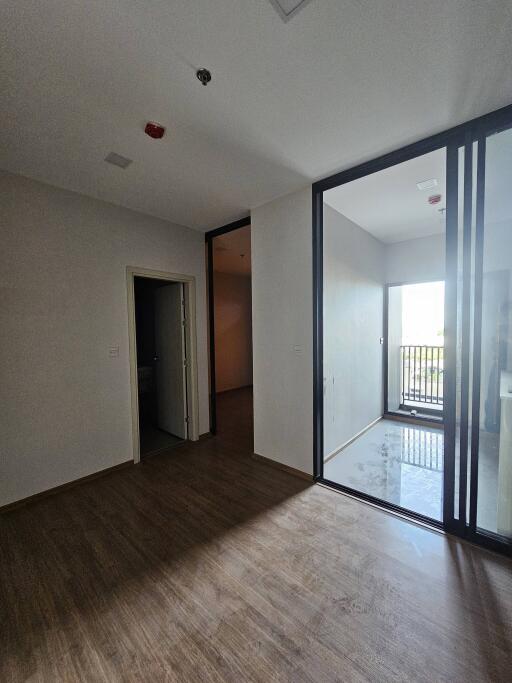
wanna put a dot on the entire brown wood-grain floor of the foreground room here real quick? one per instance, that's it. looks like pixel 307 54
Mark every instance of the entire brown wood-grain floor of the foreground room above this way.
pixel 205 565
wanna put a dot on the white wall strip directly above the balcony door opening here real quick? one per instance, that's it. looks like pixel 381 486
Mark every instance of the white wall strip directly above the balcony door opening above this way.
pixel 416 260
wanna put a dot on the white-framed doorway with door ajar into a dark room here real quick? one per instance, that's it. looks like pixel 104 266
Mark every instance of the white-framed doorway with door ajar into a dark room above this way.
pixel 163 360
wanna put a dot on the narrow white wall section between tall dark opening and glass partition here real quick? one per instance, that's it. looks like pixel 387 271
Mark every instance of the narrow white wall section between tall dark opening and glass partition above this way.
pixel 282 330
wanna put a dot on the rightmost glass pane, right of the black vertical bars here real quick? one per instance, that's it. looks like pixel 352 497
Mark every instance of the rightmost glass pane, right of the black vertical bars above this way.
pixel 494 507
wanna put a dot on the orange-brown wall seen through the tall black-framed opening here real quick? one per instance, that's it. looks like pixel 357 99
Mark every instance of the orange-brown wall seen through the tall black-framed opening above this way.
pixel 233 331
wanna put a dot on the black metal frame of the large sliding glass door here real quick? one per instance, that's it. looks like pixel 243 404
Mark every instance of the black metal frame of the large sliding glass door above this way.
pixel 461 136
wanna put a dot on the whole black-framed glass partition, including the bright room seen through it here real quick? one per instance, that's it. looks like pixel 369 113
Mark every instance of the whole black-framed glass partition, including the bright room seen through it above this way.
pixel 455 474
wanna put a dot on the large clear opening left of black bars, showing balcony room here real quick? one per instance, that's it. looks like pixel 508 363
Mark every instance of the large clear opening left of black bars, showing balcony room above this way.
pixel 386 232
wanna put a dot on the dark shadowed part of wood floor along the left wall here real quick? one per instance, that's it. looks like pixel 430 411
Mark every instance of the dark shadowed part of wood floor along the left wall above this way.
pixel 92 549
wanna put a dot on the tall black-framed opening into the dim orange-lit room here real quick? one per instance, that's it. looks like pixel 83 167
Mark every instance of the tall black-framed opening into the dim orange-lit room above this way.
pixel 229 264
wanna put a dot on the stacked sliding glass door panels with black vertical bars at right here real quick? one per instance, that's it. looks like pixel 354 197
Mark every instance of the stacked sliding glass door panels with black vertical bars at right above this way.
pixel 479 440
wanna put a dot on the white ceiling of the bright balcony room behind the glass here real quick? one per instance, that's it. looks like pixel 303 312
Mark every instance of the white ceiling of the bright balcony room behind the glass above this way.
pixel 388 205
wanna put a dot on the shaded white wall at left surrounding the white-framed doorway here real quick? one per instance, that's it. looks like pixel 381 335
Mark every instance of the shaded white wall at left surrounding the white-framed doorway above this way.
pixel 64 404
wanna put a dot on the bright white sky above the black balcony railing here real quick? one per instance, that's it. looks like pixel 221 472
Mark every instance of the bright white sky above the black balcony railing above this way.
pixel 423 314
